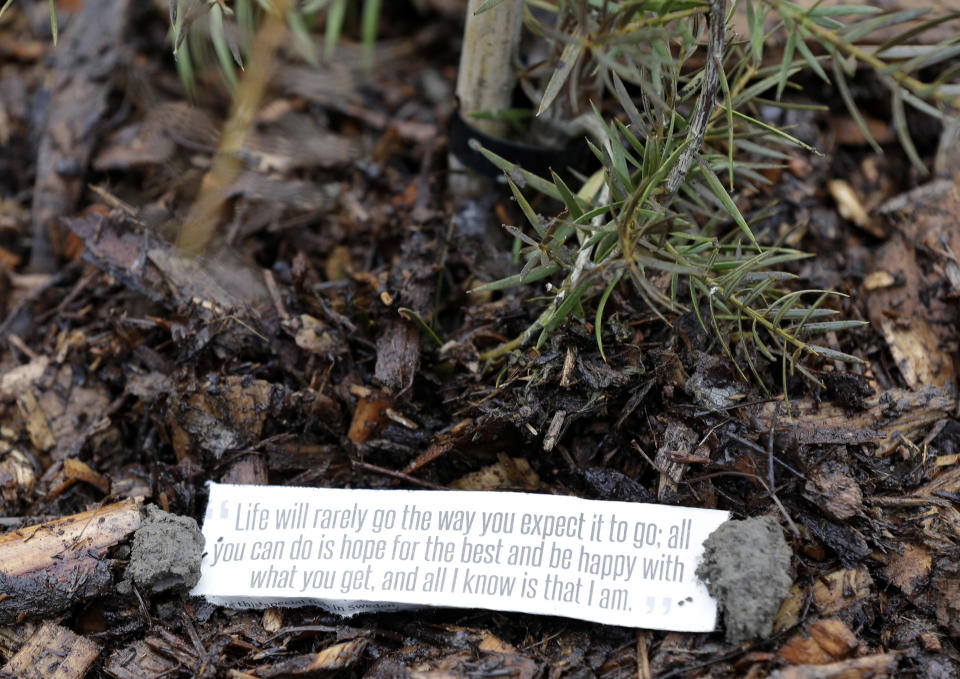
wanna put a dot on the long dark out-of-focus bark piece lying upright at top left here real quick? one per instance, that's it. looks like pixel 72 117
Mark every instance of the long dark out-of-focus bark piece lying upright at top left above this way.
pixel 89 53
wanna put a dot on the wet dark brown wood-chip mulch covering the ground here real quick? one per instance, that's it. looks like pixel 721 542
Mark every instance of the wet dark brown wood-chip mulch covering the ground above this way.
pixel 294 352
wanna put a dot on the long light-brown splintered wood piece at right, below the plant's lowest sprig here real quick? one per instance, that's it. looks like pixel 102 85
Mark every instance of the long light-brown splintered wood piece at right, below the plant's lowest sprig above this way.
pixel 887 417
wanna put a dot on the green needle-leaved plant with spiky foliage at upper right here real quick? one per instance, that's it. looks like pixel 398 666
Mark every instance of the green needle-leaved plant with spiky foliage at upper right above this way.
pixel 688 135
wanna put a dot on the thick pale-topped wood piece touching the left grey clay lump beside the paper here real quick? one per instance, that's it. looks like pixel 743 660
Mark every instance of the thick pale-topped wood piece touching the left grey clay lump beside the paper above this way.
pixel 46 568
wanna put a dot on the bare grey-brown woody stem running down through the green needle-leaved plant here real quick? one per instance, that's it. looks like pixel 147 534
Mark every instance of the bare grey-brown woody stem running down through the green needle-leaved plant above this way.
pixel 707 98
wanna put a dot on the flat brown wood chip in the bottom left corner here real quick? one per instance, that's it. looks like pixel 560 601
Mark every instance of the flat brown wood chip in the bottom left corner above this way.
pixel 54 652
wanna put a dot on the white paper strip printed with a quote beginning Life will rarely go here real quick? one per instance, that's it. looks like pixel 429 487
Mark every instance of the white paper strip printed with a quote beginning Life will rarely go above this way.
pixel 351 551
